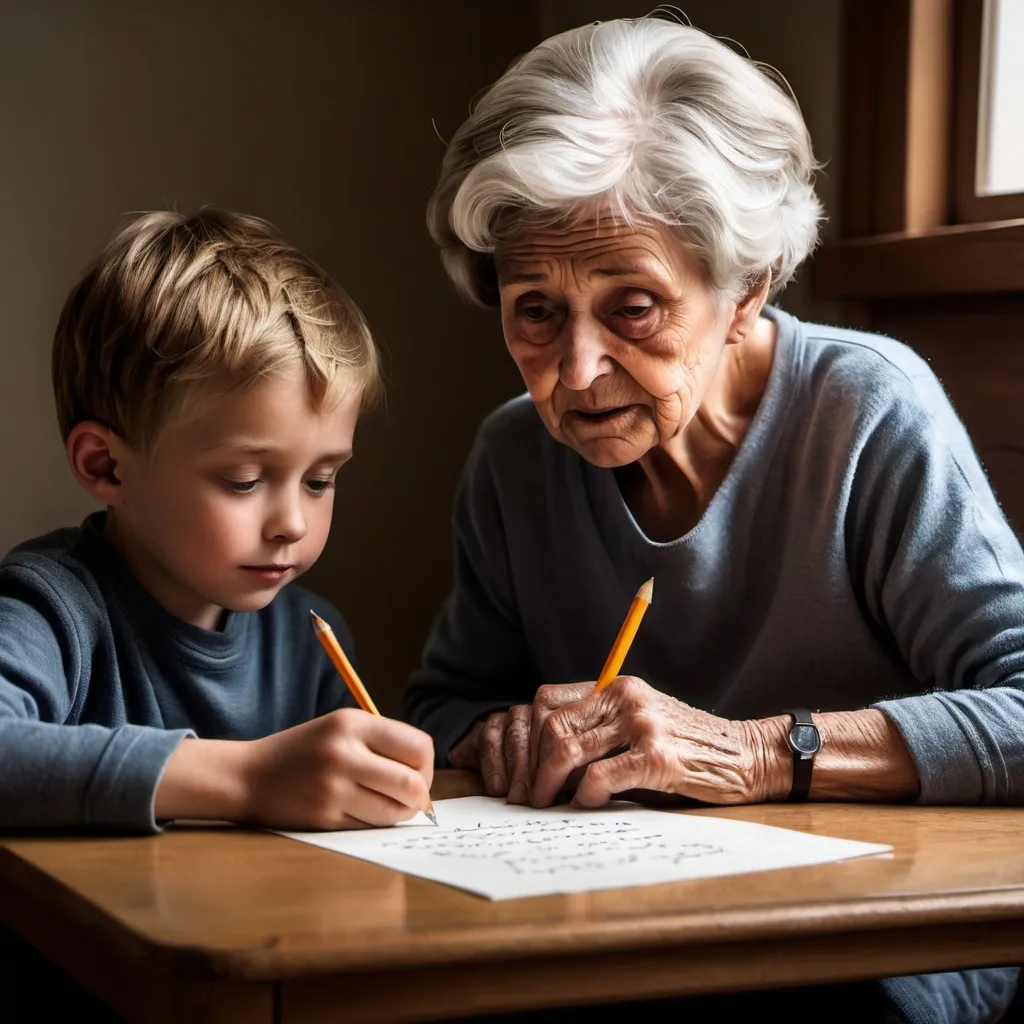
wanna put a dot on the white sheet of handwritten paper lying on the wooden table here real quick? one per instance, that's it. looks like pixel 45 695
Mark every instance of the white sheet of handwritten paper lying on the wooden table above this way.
pixel 504 851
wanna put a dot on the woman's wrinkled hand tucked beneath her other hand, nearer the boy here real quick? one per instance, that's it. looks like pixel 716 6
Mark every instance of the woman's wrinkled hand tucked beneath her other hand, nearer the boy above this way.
pixel 503 747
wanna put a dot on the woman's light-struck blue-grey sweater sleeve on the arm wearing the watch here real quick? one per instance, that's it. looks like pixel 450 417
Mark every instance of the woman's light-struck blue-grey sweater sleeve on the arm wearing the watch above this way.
pixel 944 580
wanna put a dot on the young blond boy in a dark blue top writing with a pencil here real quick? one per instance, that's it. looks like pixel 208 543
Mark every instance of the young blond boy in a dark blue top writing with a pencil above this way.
pixel 208 381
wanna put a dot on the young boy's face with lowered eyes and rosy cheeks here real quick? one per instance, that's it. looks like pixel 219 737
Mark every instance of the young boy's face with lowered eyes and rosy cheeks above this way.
pixel 237 501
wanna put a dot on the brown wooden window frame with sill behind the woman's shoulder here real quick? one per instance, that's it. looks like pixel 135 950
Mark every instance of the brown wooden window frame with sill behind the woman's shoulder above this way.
pixel 908 139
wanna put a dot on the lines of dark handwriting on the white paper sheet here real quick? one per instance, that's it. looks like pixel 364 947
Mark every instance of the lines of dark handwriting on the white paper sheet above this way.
pixel 547 846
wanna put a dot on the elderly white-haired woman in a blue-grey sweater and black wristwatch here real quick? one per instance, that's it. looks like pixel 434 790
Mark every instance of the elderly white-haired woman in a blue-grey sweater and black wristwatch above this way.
pixel 839 610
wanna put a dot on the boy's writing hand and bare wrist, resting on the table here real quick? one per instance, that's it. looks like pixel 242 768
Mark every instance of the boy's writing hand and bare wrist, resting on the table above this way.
pixel 348 770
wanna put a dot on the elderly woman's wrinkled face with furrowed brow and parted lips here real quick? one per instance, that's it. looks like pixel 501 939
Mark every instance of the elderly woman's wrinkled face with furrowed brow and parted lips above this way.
pixel 616 332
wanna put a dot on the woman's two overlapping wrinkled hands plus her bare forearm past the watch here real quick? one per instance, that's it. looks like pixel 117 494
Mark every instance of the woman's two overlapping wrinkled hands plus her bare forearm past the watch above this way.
pixel 633 740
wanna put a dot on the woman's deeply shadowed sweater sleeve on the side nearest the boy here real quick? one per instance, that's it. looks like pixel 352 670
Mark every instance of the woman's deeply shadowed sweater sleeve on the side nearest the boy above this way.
pixel 477 659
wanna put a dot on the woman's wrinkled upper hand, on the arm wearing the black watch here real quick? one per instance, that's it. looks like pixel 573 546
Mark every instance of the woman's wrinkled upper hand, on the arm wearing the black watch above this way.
pixel 672 748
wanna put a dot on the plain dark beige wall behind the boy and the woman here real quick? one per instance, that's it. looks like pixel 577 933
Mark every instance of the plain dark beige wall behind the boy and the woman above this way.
pixel 319 116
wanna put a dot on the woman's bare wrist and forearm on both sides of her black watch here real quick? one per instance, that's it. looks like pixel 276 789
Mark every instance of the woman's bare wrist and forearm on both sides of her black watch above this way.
pixel 863 757
